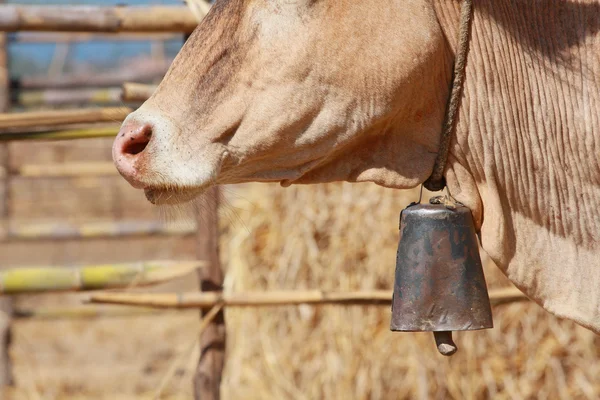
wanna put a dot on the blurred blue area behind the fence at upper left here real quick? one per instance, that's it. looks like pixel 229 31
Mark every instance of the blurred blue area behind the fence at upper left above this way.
pixel 35 58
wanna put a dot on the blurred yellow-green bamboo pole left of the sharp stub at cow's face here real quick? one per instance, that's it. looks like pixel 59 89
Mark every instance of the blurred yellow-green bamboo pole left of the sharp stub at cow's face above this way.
pixel 62 97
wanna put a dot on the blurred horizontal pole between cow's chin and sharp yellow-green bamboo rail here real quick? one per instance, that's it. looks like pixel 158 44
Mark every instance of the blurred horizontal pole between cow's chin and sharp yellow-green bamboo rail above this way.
pixel 94 230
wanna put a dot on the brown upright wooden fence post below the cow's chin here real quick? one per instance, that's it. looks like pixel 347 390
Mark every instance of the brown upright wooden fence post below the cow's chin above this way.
pixel 207 381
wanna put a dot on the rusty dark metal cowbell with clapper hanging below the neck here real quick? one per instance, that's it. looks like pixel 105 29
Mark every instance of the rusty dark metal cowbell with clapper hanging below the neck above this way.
pixel 439 284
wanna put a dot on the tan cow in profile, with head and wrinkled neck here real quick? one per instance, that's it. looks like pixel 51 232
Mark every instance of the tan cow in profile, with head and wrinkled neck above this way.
pixel 311 91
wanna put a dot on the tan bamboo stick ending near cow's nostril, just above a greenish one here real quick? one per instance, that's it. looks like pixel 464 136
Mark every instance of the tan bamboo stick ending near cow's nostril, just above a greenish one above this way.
pixel 13 121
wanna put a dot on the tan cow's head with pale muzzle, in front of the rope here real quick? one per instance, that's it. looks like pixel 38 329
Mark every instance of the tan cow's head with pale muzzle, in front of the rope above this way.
pixel 293 91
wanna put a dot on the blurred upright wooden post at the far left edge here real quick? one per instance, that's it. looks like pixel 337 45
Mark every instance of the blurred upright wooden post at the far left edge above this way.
pixel 5 302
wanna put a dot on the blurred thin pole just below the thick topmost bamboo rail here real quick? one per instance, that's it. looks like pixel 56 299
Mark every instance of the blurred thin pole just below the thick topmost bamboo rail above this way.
pixel 76 37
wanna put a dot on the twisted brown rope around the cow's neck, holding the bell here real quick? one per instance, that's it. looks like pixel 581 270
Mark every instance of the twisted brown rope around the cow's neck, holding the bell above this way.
pixel 436 181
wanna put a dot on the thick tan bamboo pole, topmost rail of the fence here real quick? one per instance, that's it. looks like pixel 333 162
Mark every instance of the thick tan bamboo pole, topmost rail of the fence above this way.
pixel 96 19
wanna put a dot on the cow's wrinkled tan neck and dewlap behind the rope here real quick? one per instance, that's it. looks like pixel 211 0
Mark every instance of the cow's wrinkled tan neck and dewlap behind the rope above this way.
pixel 526 158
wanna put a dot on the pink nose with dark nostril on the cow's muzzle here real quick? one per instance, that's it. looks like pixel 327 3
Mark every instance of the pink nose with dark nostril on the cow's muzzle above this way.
pixel 128 148
